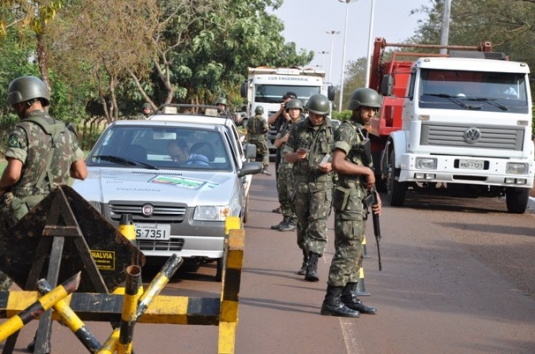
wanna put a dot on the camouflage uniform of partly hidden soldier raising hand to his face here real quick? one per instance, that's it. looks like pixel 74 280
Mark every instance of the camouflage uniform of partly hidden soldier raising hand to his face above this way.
pixel 285 181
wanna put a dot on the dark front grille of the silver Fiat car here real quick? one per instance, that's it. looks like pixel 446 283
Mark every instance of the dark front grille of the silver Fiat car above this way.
pixel 162 212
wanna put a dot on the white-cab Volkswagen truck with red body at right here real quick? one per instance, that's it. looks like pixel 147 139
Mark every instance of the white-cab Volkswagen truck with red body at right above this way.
pixel 465 127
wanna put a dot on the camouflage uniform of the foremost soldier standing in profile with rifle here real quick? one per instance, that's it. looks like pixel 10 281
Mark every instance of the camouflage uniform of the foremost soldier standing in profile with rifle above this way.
pixel 350 212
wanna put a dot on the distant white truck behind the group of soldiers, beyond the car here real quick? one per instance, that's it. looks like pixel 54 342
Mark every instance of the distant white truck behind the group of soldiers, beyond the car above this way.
pixel 265 87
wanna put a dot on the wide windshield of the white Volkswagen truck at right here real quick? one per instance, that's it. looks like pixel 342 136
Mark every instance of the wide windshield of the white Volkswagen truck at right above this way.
pixel 485 91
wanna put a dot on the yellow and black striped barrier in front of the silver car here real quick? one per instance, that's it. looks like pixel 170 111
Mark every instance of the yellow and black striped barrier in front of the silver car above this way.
pixel 151 308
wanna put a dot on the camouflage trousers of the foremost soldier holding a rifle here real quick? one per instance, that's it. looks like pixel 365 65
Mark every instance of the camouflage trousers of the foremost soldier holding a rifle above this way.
pixel 349 252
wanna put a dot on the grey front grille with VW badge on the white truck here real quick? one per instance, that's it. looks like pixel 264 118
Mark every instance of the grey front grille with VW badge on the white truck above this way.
pixel 489 137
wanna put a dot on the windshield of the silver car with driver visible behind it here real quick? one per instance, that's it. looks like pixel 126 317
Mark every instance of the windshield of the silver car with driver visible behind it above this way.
pixel 154 147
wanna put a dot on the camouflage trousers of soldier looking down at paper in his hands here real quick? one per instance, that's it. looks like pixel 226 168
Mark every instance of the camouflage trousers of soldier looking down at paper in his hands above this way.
pixel 312 210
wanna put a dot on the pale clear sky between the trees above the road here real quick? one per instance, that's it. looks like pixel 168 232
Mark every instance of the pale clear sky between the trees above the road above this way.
pixel 307 21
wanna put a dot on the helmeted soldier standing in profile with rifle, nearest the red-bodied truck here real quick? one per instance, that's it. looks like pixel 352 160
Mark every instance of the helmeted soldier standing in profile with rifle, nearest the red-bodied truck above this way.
pixel 355 180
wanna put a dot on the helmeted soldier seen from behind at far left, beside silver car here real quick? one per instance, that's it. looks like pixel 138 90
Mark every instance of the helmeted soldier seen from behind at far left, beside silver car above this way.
pixel 42 152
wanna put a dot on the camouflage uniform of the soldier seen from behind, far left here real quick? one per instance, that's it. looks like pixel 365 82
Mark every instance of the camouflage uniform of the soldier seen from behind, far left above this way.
pixel 29 143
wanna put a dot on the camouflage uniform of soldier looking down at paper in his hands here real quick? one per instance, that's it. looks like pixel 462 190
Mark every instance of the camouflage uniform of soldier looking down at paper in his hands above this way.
pixel 313 188
